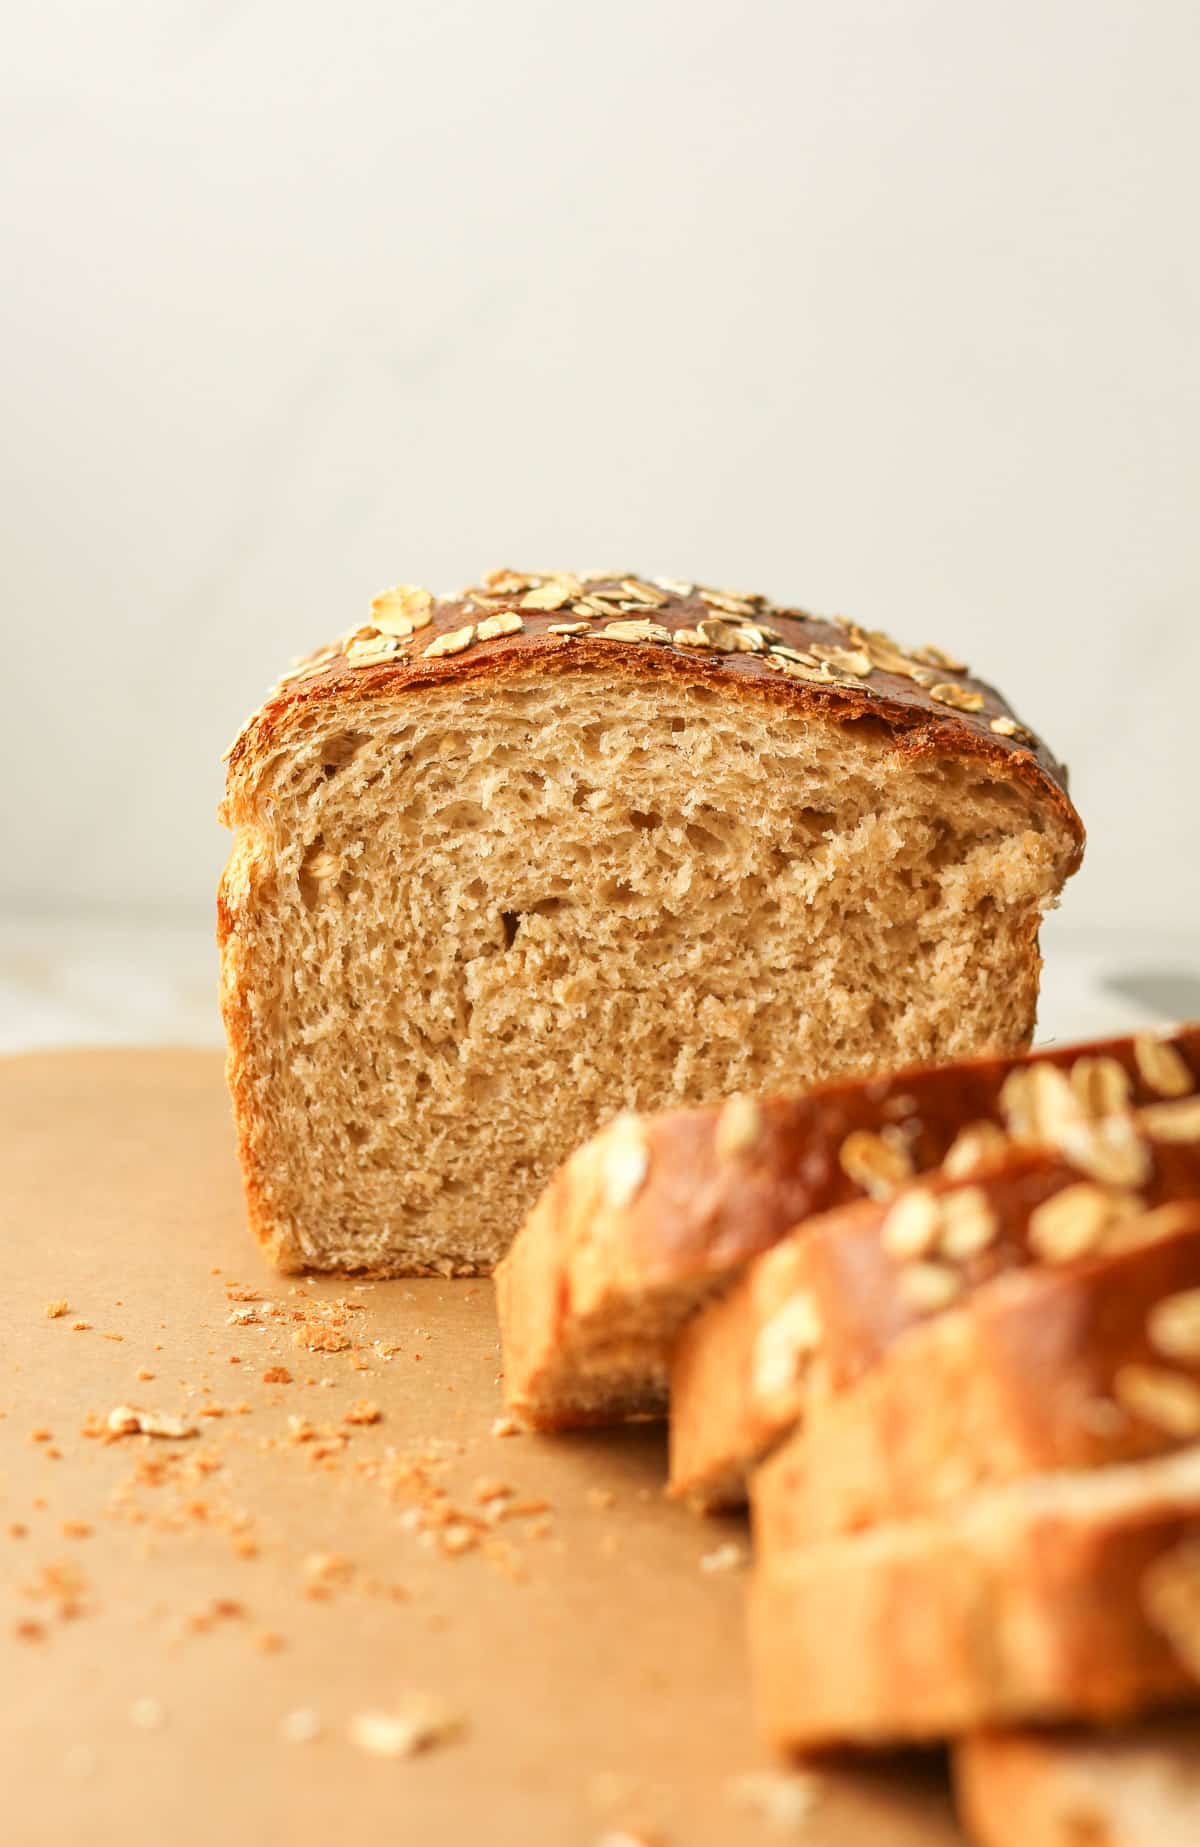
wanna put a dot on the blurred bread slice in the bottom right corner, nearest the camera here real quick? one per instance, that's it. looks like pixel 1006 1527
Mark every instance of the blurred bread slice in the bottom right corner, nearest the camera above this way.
pixel 1122 1787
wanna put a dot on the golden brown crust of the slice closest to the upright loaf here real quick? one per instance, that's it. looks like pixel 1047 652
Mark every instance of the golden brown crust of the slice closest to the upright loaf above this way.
pixel 701 1213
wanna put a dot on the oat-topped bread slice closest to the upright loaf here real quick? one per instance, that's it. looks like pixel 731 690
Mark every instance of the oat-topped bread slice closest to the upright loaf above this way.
pixel 656 1218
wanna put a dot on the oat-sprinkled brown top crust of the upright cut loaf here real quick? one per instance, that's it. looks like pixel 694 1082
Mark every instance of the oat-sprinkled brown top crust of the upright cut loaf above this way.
pixel 918 716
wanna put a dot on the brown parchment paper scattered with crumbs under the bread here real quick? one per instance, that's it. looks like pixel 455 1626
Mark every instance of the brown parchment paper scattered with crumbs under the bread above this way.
pixel 167 1608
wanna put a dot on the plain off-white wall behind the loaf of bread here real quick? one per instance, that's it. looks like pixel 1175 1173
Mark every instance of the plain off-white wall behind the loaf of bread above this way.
pixel 889 308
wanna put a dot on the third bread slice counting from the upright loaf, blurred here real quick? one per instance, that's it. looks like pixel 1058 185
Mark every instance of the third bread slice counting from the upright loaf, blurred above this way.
pixel 1055 1368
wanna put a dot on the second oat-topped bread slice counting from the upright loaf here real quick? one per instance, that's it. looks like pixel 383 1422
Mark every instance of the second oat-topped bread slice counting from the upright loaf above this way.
pixel 834 1286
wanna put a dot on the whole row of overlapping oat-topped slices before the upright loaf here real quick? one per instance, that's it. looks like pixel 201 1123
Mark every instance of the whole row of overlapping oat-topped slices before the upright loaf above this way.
pixel 976 1357
